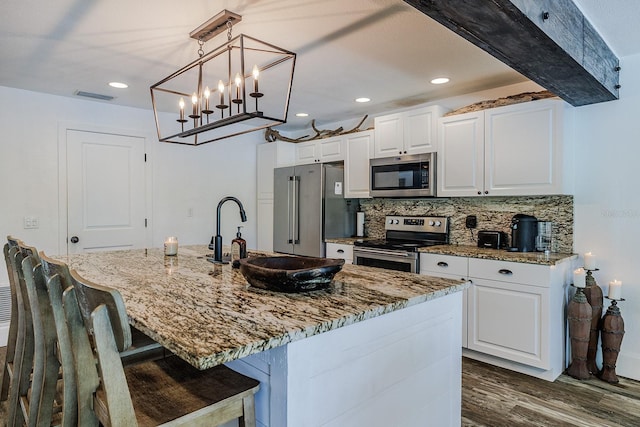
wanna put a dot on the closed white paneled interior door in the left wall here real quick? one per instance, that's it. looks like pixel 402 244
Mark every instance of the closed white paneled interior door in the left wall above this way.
pixel 105 191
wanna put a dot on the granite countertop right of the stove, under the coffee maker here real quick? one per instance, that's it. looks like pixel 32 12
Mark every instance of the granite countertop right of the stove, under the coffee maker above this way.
pixel 499 254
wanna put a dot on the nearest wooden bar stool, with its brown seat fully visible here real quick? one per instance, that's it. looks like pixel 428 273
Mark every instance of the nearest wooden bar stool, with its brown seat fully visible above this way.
pixel 162 392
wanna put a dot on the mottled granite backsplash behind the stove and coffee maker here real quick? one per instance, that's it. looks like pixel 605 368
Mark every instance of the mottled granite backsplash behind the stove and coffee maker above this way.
pixel 493 213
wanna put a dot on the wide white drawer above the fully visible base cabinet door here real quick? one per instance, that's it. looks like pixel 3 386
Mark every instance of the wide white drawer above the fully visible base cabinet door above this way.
pixel 513 272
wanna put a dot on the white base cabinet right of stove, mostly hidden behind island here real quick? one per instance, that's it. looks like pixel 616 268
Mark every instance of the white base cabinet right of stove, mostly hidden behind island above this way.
pixel 449 267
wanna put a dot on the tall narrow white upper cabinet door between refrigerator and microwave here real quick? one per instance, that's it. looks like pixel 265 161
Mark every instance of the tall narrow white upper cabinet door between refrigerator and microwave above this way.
pixel 357 172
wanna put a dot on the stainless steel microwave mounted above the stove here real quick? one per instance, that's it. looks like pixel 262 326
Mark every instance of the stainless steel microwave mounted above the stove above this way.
pixel 404 176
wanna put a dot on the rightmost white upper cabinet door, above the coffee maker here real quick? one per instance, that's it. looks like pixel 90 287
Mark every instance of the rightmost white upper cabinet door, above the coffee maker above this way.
pixel 523 149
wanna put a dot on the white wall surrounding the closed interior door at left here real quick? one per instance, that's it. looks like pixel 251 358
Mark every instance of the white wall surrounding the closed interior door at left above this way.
pixel 183 177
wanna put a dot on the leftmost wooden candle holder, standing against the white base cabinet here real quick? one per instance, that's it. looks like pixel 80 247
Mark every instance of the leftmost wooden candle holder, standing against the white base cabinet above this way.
pixel 579 315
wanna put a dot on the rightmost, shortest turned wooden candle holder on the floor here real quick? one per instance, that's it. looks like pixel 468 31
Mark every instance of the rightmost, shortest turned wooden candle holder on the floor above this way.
pixel 612 334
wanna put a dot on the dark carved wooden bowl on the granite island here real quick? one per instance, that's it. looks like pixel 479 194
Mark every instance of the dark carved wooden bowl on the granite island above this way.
pixel 290 273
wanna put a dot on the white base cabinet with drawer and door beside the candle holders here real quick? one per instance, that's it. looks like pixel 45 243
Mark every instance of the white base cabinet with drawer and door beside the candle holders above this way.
pixel 516 313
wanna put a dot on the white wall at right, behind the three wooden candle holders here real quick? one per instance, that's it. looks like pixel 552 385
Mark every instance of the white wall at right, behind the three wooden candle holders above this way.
pixel 607 201
